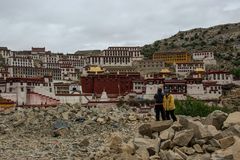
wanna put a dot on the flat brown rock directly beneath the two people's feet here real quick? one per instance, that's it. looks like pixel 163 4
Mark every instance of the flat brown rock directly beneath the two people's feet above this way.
pixel 158 126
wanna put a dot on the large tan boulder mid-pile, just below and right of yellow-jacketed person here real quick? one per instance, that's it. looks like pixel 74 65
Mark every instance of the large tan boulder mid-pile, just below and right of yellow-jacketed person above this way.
pixel 182 138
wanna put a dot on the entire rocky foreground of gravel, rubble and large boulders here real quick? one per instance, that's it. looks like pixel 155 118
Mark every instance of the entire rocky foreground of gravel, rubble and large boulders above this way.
pixel 75 132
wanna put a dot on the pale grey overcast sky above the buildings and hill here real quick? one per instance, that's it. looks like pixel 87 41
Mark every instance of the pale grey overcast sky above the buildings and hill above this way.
pixel 70 25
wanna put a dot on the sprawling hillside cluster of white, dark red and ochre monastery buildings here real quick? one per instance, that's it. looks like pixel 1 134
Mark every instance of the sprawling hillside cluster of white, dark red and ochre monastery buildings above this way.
pixel 40 77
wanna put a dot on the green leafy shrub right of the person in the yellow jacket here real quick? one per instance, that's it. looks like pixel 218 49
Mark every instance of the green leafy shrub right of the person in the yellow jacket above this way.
pixel 191 107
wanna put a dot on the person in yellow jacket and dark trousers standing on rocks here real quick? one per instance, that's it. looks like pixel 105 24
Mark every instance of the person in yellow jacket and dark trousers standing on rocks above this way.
pixel 169 105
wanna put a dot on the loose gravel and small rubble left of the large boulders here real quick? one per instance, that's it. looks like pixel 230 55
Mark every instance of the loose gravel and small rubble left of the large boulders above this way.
pixel 64 132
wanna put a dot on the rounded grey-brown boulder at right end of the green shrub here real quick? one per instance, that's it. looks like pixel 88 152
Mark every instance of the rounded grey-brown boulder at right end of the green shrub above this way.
pixel 216 118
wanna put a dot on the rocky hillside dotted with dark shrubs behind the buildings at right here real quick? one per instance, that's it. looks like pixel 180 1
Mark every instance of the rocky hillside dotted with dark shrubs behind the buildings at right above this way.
pixel 224 40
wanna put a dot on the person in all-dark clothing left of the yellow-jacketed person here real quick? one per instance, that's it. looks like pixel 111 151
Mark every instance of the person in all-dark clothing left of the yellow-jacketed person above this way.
pixel 159 105
